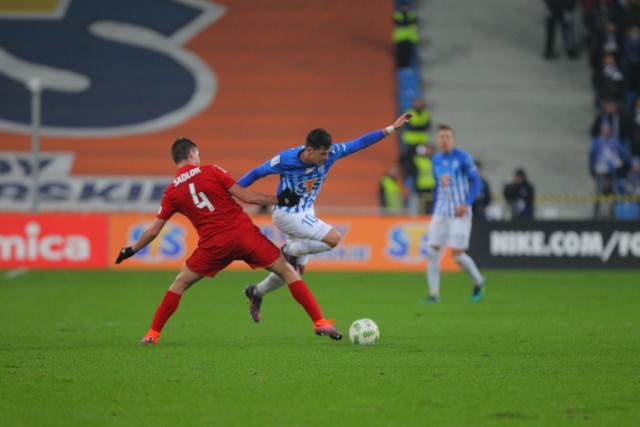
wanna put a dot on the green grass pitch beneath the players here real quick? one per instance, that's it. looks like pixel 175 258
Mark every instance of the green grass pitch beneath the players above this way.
pixel 542 348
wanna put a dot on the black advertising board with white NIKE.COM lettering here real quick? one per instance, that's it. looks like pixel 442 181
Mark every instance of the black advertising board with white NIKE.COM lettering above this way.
pixel 556 244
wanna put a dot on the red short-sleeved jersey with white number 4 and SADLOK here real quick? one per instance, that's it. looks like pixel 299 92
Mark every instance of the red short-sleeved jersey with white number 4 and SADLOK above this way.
pixel 200 193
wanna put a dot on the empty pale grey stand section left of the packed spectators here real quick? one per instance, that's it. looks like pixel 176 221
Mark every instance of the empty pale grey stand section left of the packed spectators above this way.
pixel 484 75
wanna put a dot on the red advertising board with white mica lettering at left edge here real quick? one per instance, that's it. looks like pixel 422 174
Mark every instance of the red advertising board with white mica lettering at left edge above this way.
pixel 53 241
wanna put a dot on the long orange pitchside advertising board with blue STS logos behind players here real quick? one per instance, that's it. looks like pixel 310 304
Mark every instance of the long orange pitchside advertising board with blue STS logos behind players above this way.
pixel 369 243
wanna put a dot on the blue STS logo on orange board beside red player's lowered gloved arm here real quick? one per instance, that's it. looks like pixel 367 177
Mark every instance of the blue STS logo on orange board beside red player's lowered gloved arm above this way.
pixel 168 246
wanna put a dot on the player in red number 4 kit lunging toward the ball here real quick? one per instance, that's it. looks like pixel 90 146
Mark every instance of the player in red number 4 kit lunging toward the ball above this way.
pixel 226 233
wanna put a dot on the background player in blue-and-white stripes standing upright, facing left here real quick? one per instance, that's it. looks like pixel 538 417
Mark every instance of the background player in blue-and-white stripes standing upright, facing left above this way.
pixel 457 186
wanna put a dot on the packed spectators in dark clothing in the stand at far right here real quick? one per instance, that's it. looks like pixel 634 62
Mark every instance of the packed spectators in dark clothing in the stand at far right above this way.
pixel 614 53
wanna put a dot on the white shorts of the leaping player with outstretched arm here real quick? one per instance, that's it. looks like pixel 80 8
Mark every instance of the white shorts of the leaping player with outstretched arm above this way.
pixel 300 225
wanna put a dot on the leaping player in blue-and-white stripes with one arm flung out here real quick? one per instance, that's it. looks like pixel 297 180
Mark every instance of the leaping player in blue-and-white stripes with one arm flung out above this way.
pixel 303 169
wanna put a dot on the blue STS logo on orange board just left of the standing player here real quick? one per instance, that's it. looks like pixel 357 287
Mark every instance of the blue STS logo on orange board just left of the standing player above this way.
pixel 408 242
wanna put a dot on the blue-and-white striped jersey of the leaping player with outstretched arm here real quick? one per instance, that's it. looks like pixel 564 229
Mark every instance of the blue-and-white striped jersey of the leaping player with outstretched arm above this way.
pixel 306 179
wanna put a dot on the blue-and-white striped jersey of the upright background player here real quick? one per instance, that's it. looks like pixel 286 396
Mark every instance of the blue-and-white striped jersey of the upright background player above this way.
pixel 457 182
